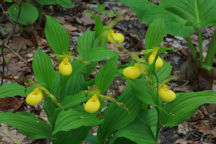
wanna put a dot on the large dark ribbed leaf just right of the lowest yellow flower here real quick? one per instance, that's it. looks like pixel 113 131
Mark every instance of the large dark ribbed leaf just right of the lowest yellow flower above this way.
pixel 115 117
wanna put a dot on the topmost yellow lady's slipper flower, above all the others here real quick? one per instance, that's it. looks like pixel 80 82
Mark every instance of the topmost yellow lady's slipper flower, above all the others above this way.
pixel 115 38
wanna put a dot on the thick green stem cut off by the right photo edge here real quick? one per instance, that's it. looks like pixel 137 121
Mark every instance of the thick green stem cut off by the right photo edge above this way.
pixel 211 51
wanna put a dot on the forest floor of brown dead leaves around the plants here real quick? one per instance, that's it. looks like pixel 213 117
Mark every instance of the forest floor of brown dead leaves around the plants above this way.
pixel 199 129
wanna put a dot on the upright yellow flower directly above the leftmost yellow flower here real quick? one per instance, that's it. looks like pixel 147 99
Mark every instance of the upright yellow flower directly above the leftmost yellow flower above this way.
pixel 65 67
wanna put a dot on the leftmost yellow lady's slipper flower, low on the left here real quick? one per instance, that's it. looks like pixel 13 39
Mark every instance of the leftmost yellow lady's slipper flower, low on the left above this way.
pixel 35 97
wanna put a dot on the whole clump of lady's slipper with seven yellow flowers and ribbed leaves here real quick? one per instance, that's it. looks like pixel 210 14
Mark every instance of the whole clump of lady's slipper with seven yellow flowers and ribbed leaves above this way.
pixel 75 102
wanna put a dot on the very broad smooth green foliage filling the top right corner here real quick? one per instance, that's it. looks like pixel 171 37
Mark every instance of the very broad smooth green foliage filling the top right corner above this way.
pixel 181 17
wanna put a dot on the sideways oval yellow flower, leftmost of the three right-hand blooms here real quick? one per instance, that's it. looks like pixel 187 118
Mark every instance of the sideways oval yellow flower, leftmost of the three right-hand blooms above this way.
pixel 132 72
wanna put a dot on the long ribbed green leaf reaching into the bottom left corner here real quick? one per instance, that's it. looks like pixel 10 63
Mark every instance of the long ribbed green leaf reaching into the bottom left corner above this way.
pixel 27 123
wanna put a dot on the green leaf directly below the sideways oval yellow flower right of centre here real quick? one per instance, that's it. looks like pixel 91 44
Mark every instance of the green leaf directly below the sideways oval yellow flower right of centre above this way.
pixel 142 91
